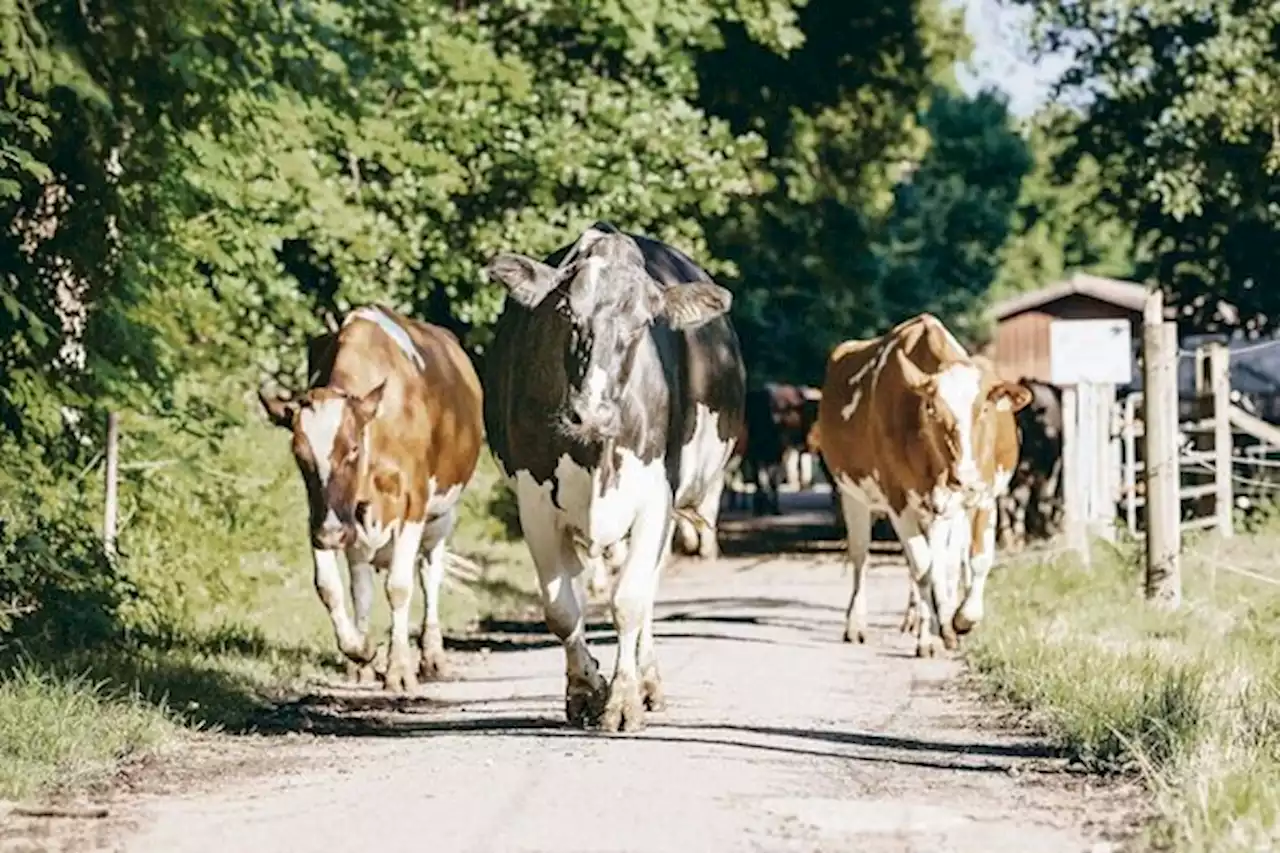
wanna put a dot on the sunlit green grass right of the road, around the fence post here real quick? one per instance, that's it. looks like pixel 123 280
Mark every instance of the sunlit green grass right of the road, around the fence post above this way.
pixel 1188 700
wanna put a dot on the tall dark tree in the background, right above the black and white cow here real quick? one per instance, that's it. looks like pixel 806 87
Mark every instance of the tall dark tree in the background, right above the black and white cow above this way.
pixel 842 117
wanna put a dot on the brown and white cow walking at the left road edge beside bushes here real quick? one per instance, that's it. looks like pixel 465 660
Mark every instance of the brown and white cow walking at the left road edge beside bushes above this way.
pixel 386 437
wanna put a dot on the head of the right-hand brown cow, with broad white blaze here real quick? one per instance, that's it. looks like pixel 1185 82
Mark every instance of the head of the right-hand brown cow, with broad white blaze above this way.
pixel 957 410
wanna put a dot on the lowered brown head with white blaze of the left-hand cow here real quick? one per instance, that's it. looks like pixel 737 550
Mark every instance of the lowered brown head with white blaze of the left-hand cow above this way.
pixel 331 446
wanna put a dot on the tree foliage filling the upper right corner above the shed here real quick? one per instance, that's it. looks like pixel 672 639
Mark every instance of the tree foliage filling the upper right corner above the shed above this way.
pixel 1181 104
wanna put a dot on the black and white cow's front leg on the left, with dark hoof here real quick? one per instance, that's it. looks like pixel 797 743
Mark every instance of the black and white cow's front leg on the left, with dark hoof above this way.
pixel 559 565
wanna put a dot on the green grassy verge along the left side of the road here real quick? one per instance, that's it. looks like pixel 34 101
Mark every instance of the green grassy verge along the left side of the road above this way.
pixel 226 623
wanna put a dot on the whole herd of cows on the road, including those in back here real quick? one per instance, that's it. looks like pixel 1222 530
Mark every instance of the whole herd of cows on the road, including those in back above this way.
pixel 615 402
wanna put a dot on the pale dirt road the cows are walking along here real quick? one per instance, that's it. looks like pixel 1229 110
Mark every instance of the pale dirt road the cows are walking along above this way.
pixel 779 737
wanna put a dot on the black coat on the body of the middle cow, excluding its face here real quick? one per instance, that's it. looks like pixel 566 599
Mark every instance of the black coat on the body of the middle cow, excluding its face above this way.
pixel 527 380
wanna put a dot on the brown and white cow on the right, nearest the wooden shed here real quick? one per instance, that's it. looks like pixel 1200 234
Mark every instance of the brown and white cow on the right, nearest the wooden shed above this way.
pixel 902 425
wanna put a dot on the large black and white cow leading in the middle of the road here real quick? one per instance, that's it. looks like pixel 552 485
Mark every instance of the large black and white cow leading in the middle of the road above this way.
pixel 614 394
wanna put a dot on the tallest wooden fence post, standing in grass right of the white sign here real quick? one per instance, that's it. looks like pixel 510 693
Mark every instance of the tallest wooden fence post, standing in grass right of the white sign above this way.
pixel 1160 440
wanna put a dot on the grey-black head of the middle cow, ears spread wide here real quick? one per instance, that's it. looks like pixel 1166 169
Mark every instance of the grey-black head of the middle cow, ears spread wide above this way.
pixel 610 302
